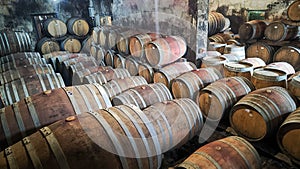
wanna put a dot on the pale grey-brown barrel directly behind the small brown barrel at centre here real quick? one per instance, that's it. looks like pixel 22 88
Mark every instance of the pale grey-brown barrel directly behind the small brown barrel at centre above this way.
pixel 117 86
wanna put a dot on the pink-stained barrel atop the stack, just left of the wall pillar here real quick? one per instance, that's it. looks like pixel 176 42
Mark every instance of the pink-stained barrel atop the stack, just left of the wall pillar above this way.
pixel 165 50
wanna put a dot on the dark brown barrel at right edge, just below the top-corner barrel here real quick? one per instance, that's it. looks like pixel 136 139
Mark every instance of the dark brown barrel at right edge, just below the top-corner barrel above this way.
pixel 278 31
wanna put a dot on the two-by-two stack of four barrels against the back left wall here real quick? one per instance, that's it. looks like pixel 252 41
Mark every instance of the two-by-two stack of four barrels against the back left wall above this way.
pixel 66 36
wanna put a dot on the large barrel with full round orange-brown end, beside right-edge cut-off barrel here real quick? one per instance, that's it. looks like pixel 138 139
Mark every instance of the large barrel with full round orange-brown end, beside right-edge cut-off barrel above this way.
pixel 259 114
